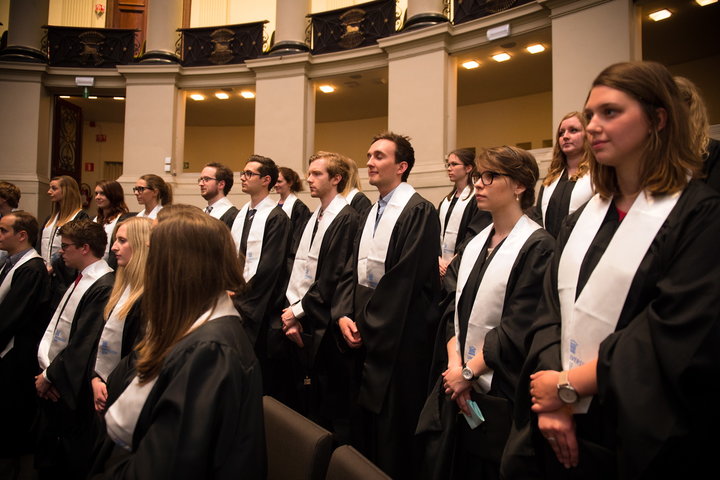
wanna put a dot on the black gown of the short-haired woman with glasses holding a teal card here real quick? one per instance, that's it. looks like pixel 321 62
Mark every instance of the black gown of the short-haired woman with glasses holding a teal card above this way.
pixel 444 433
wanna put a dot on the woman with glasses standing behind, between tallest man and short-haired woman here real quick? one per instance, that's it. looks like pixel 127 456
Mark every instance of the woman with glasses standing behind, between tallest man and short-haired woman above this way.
pixel 460 218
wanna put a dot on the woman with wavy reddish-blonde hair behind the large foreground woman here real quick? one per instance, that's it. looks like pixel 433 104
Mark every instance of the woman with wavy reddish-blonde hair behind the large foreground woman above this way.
pixel 567 185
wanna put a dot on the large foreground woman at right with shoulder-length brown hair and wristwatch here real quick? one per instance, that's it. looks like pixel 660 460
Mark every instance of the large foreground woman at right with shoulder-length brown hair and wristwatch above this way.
pixel 622 372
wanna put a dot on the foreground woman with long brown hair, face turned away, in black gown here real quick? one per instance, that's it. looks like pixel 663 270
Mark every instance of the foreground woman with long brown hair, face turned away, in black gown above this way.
pixel 195 408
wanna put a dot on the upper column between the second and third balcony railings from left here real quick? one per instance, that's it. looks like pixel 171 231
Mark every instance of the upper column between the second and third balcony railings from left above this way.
pixel 290 26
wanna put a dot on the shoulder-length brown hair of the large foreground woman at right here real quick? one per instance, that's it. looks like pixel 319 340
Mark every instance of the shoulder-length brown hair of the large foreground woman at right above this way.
pixel 668 156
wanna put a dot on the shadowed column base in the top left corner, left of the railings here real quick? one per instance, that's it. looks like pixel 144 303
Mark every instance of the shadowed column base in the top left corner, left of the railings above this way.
pixel 25 31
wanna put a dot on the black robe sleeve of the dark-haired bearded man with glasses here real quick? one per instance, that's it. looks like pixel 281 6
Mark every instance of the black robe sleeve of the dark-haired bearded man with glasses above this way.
pixel 263 294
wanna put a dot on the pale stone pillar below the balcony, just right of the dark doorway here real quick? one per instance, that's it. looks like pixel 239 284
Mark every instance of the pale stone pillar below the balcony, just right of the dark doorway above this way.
pixel 152 102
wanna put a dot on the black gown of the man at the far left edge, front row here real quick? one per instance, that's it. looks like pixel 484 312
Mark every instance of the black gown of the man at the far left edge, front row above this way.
pixel 24 315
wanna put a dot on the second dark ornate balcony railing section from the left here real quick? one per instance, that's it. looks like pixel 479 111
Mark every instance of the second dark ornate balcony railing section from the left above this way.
pixel 223 45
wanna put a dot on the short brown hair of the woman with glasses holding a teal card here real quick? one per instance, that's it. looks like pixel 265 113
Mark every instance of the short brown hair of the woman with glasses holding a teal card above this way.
pixel 516 163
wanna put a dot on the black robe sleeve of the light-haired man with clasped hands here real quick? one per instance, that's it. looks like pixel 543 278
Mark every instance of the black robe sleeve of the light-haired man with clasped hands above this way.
pixel 335 249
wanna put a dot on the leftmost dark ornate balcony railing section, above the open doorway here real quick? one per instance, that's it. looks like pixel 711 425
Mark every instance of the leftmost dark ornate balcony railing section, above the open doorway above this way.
pixel 89 47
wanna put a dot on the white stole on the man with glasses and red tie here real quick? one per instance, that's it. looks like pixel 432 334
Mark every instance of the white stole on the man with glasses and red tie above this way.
pixel 57 335
